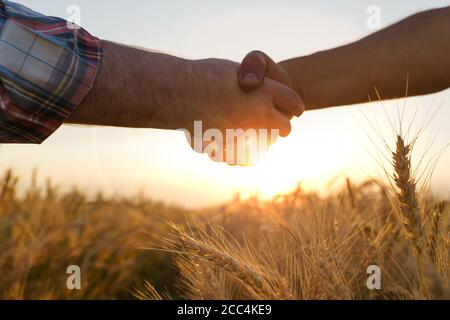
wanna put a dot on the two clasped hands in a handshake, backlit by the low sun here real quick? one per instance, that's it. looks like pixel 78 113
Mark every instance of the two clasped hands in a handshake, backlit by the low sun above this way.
pixel 242 109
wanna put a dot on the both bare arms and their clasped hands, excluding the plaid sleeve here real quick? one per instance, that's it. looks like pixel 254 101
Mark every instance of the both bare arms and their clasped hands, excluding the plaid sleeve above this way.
pixel 233 112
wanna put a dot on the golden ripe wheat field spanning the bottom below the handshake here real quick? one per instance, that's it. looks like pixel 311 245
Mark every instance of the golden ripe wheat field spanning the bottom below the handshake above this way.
pixel 296 246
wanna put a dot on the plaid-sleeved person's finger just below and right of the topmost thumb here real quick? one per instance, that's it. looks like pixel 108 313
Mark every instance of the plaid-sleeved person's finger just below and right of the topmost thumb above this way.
pixel 286 100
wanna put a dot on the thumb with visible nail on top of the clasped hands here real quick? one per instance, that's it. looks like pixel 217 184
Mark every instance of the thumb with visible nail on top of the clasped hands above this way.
pixel 255 67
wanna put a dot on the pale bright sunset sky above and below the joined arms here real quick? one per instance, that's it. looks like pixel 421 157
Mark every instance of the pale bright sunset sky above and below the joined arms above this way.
pixel 324 146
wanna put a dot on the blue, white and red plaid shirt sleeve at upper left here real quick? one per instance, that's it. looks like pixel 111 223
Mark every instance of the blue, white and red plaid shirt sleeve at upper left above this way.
pixel 47 67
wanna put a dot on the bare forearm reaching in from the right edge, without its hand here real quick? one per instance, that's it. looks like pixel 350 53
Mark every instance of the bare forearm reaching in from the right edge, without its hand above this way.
pixel 416 49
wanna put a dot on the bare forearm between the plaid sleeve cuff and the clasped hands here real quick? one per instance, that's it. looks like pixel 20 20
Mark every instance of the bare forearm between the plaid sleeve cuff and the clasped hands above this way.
pixel 138 88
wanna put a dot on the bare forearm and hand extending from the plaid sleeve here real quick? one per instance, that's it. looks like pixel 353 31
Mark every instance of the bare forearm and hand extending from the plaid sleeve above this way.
pixel 139 88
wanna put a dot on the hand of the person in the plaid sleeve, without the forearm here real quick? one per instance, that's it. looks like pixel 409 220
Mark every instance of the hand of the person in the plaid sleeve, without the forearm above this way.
pixel 221 104
